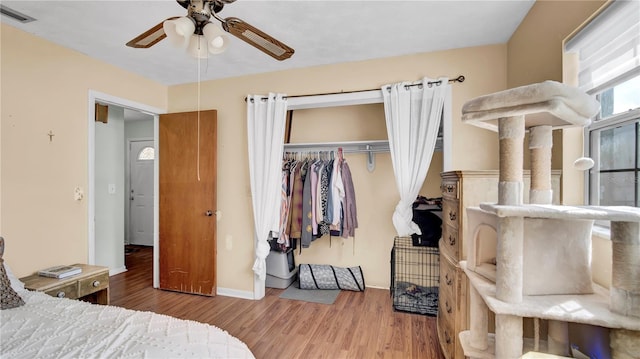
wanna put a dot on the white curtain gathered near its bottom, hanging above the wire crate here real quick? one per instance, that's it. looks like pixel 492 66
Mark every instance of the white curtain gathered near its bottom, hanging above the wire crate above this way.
pixel 413 112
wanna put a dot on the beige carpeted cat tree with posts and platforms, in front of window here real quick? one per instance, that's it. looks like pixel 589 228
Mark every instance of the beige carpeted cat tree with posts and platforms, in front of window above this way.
pixel 534 260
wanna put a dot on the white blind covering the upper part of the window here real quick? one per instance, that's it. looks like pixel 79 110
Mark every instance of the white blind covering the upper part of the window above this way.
pixel 608 47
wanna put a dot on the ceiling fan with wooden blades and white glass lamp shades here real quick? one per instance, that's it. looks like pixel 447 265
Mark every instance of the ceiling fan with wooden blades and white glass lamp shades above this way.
pixel 189 30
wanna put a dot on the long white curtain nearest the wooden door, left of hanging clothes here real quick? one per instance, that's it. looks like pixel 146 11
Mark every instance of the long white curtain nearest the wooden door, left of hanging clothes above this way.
pixel 265 129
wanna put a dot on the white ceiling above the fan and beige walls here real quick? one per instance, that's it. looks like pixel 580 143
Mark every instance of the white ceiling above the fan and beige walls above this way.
pixel 321 32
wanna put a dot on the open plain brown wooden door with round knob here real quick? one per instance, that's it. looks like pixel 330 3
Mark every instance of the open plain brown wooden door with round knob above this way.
pixel 187 238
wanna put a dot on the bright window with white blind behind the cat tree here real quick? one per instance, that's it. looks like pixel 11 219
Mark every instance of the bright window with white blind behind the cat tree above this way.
pixel 607 53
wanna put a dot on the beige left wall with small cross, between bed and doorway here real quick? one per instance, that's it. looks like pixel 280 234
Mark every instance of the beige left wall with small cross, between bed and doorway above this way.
pixel 45 87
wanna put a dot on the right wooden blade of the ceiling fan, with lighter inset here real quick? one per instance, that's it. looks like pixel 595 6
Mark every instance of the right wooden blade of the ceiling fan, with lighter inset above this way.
pixel 257 38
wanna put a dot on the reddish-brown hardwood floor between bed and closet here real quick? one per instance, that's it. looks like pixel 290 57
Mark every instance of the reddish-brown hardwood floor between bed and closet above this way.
pixel 357 325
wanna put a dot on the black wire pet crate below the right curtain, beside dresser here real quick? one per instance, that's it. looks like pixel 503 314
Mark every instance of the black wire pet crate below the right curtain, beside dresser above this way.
pixel 415 277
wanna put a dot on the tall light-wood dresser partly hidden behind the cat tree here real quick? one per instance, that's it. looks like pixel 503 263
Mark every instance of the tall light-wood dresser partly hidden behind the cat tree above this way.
pixel 462 189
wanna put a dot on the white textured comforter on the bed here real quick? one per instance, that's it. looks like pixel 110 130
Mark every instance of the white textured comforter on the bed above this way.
pixel 47 327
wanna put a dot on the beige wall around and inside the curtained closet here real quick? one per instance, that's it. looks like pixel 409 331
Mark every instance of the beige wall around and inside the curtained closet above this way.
pixel 485 70
